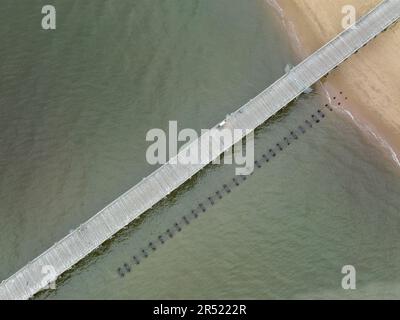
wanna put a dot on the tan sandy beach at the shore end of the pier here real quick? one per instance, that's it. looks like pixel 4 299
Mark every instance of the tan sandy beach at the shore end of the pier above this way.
pixel 370 79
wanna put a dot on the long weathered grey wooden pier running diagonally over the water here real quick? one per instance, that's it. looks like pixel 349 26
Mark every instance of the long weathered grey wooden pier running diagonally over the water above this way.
pixel 102 226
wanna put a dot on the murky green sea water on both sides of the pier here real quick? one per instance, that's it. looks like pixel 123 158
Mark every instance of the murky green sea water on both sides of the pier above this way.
pixel 76 104
